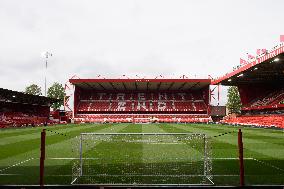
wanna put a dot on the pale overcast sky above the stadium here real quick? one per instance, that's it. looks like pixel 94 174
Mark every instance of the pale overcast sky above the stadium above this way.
pixel 196 38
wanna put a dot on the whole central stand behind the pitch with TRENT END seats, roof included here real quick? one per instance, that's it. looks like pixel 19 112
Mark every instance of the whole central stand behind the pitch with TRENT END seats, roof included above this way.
pixel 141 101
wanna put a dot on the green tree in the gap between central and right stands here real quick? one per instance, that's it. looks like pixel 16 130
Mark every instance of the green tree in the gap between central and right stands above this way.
pixel 234 101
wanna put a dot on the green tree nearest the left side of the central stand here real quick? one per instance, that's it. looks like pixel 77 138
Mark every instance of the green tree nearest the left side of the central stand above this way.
pixel 56 91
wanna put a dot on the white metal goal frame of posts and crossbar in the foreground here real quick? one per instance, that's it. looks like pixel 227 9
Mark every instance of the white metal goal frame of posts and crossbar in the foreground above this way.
pixel 207 166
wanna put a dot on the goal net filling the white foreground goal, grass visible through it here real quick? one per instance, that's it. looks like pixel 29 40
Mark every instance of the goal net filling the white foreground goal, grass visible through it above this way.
pixel 142 159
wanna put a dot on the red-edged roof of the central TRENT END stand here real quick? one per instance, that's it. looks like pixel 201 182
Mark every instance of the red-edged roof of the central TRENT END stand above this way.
pixel 141 84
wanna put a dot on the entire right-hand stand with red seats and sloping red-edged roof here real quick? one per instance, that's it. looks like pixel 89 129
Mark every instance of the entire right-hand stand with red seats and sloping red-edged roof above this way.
pixel 260 85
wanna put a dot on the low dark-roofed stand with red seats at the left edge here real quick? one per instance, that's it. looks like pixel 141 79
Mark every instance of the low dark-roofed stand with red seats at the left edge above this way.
pixel 19 109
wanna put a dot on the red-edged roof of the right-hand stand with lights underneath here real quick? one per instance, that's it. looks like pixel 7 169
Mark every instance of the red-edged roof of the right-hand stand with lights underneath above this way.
pixel 265 69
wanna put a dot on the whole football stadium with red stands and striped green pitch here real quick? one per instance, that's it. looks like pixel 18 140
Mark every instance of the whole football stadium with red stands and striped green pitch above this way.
pixel 149 132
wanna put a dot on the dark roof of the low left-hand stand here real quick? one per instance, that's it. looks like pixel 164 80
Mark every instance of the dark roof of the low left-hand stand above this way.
pixel 9 96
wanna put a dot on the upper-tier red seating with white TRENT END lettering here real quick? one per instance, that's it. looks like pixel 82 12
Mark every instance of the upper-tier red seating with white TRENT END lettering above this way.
pixel 134 102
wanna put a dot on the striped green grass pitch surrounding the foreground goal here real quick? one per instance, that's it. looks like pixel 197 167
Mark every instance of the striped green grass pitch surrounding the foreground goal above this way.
pixel 20 151
